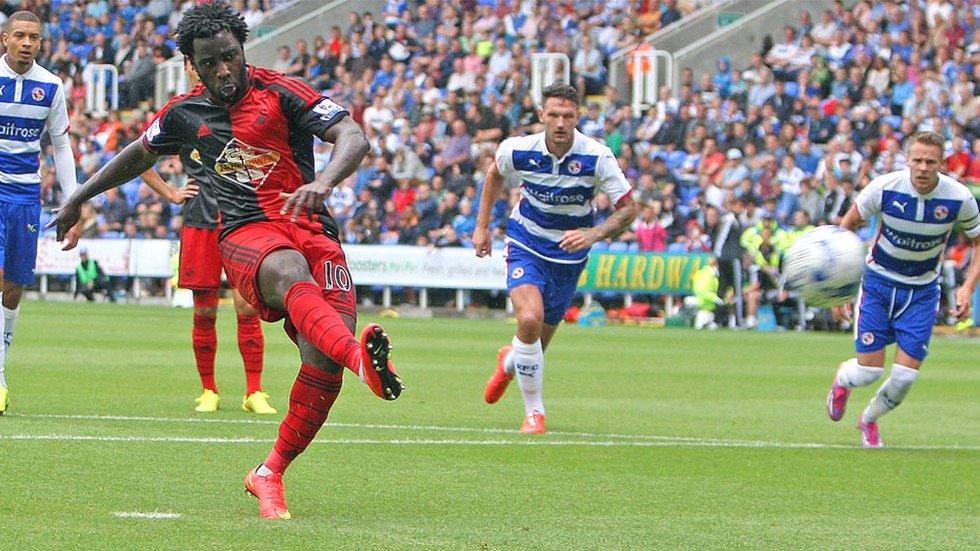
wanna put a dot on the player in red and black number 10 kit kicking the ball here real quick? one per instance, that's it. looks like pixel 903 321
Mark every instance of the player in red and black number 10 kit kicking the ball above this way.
pixel 253 129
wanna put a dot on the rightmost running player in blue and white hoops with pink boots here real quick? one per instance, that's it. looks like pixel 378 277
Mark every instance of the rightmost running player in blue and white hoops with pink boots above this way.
pixel 899 296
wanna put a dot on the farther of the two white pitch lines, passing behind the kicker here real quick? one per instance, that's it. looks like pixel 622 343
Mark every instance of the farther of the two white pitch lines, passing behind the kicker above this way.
pixel 433 428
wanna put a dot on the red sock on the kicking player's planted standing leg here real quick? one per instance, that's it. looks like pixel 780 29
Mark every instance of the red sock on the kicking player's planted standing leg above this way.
pixel 313 393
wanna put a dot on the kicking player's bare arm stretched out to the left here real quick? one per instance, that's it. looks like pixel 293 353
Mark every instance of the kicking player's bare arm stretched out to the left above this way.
pixel 130 163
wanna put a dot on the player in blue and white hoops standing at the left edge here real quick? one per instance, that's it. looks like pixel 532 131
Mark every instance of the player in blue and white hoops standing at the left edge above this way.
pixel 32 101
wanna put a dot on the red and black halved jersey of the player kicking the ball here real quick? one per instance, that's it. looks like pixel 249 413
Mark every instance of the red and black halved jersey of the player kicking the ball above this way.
pixel 253 150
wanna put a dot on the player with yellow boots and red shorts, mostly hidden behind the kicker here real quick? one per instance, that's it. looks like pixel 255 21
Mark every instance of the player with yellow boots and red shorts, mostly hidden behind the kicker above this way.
pixel 200 271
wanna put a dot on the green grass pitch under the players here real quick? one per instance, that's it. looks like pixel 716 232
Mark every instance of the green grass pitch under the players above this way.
pixel 658 439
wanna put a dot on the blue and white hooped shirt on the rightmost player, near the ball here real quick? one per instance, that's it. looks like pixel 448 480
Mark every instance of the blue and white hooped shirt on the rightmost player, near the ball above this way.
pixel 913 231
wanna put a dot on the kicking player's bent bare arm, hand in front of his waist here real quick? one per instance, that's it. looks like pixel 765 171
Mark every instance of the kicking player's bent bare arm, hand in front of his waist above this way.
pixel 350 145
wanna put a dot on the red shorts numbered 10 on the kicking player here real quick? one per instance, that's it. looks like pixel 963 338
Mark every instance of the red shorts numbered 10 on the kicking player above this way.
pixel 244 249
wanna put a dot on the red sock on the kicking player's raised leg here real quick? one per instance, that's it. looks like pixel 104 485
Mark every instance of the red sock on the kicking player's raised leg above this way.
pixel 320 324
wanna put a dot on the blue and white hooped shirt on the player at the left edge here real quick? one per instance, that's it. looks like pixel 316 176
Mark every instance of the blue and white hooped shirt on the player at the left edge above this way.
pixel 29 104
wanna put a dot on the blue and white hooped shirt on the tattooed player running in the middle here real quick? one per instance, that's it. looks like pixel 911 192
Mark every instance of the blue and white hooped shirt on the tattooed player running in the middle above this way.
pixel 556 194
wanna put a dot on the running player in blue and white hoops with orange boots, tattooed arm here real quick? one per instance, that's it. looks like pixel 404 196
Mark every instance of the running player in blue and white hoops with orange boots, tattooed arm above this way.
pixel 549 235
